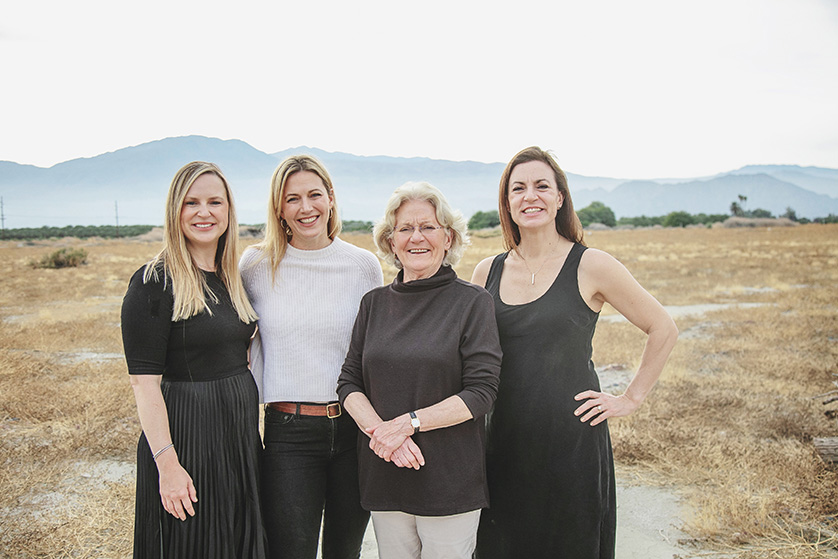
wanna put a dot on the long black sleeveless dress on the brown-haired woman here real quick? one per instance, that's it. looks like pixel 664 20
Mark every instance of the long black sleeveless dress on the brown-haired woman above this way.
pixel 551 477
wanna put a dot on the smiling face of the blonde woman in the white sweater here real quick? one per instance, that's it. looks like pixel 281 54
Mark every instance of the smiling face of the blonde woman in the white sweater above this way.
pixel 306 204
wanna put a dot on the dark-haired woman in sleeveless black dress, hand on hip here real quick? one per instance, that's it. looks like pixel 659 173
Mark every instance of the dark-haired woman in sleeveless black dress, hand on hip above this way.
pixel 549 461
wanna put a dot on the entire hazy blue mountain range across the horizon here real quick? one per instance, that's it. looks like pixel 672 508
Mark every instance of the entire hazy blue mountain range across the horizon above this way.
pixel 130 185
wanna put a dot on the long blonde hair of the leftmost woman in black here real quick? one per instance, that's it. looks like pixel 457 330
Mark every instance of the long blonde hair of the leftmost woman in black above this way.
pixel 189 285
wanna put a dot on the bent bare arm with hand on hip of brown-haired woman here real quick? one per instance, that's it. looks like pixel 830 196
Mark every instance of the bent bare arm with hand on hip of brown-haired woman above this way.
pixel 602 279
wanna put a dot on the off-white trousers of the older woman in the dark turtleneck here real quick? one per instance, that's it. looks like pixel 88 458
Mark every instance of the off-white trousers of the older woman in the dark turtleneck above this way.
pixel 405 536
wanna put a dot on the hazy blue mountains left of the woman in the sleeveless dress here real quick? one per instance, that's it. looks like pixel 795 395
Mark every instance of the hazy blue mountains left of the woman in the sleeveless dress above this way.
pixel 137 178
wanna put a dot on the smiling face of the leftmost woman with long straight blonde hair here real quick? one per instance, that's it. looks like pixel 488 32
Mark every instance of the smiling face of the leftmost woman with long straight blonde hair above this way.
pixel 205 212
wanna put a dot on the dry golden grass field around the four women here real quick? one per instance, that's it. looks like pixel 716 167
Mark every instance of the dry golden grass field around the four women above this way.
pixel 730 424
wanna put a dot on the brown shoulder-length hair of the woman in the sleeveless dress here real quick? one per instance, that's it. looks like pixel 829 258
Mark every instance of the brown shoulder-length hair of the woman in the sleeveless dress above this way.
pixel 567 222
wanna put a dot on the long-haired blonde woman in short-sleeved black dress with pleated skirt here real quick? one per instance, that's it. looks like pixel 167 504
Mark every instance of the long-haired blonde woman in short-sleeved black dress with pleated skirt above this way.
pixel 186 326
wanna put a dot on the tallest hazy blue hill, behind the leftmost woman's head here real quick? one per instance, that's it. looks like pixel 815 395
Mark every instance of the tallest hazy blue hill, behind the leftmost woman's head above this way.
pixel 83 191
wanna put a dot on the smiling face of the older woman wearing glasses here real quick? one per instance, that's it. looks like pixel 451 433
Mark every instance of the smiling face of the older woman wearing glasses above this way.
pixel 418 241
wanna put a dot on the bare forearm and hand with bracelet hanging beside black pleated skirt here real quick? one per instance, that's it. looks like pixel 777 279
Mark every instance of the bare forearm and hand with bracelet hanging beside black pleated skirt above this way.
pixel 177 491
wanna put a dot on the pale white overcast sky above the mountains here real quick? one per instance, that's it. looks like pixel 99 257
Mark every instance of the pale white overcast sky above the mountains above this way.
pixel 641 89
